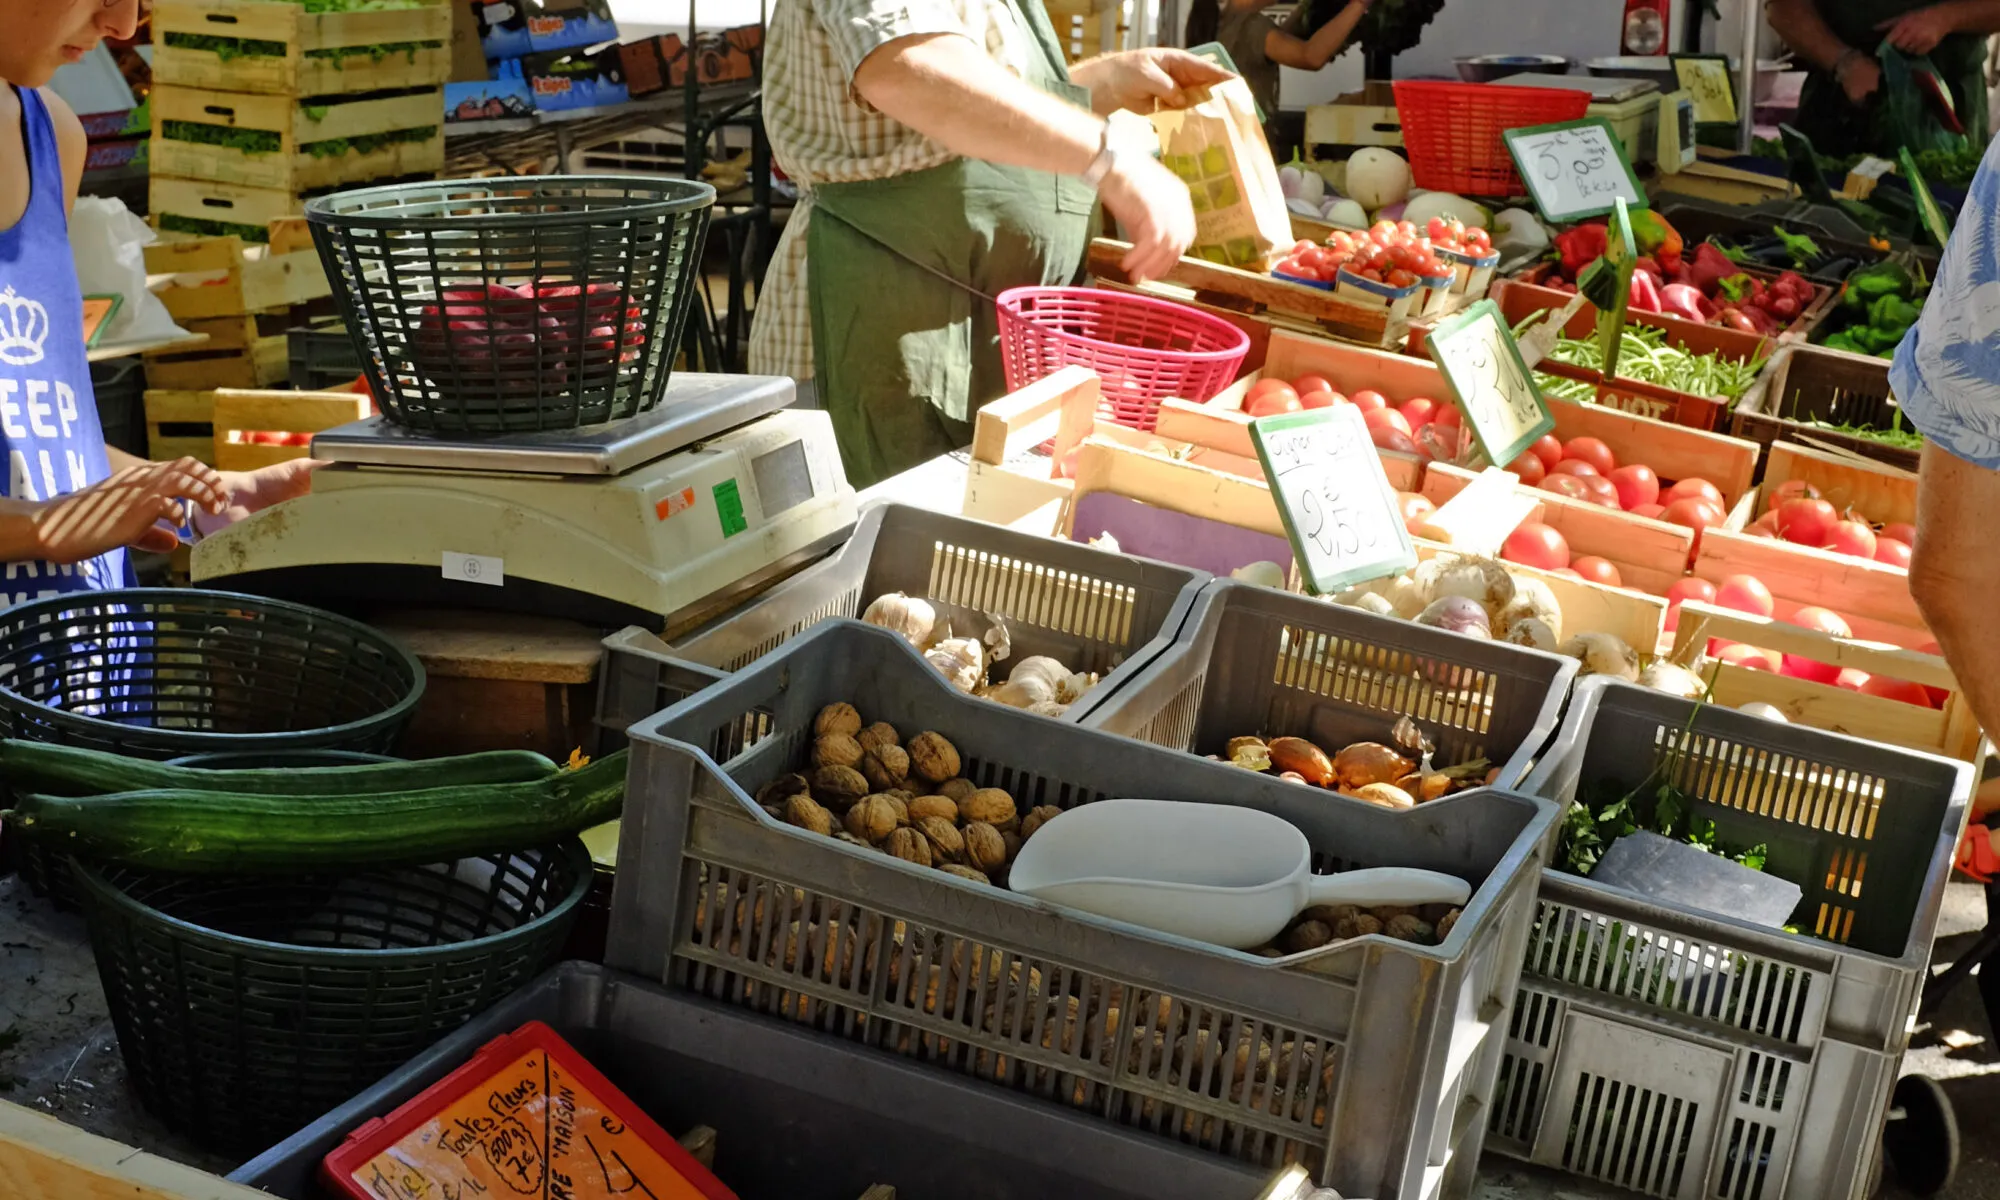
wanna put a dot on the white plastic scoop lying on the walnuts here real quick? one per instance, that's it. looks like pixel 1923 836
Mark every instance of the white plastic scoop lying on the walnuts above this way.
pixel 1211 873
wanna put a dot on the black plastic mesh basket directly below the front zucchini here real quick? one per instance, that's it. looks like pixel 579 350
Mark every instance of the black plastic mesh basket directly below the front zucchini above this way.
pixel 249 1007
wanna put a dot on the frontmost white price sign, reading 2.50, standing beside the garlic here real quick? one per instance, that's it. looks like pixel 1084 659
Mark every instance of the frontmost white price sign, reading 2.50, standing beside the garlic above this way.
pixel 1337 505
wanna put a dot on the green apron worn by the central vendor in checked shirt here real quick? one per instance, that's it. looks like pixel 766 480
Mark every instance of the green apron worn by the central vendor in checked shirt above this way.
pixel 903 275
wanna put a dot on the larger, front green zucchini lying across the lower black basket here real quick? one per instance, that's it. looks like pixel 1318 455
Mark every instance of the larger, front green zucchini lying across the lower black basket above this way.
pixel 199 831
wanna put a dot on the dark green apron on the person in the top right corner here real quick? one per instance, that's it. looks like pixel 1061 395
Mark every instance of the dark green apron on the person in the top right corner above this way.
pixel 1839 127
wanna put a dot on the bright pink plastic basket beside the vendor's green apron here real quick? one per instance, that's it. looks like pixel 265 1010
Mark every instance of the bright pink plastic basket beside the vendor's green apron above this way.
pixel 1143 349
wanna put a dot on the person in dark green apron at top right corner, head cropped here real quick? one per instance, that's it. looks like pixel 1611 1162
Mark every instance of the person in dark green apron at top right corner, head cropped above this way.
pixel 1839 39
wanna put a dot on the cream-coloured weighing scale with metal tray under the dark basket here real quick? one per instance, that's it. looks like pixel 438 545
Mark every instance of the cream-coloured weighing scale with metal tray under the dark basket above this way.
pixel 633 521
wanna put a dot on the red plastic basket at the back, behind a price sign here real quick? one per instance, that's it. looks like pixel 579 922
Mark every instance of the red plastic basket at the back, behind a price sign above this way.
pixel 1453 131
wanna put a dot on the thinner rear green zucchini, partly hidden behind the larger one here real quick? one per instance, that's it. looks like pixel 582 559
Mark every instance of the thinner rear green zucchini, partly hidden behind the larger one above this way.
pixel 71 771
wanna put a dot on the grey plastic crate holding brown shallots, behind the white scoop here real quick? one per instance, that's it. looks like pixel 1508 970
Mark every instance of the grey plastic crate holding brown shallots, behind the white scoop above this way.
pixel 1253 661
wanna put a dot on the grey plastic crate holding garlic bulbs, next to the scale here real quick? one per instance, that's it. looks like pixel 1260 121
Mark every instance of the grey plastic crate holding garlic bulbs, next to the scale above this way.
pixel 1083 607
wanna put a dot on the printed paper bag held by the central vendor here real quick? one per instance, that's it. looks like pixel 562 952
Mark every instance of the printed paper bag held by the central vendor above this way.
pixel 1219 149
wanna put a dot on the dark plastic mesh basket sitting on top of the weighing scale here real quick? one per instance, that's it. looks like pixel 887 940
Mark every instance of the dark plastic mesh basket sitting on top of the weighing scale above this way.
pixel 485 307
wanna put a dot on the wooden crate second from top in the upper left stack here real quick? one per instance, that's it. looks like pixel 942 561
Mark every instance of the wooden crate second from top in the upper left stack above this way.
pixel 297 129
